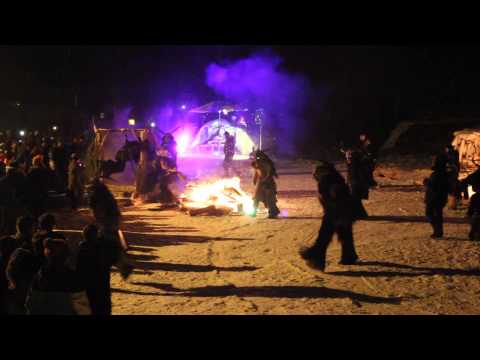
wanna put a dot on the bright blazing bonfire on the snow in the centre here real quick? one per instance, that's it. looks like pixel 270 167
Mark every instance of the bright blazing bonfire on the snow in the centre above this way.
pixel 219 197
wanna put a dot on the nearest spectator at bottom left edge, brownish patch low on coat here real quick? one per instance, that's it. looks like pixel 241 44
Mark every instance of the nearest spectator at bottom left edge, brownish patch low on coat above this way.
pixel 56 289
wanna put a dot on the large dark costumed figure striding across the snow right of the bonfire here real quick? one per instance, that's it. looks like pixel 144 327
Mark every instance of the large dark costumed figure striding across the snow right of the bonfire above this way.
pixel 339 216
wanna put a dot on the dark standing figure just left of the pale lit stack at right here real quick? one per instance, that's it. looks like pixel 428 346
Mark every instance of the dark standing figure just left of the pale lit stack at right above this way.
pixel 436 195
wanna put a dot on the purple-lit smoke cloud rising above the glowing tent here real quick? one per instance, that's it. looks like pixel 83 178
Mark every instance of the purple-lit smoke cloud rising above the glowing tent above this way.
pixel 259 82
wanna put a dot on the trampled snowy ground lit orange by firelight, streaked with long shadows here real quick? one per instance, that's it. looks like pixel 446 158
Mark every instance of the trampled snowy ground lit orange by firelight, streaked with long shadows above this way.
pixel 242 265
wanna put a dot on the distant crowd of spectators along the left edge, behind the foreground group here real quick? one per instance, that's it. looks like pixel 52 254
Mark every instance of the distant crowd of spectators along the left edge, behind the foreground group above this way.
pixel 30 168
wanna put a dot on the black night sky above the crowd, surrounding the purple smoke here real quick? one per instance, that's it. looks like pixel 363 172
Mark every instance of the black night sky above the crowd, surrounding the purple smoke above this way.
pixel 356 88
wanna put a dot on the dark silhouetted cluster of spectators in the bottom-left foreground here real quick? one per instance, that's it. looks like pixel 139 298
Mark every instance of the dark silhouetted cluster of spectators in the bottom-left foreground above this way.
pixel 36 276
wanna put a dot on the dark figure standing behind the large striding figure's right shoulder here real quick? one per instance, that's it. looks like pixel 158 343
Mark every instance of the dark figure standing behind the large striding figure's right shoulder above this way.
pixel 358 179
